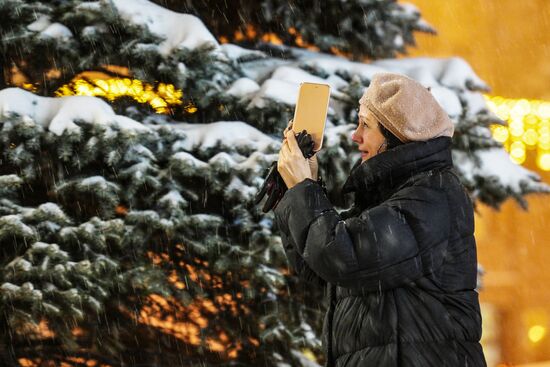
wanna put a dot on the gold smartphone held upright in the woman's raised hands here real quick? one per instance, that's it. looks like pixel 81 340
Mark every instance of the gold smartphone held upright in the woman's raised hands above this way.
pixel 311 110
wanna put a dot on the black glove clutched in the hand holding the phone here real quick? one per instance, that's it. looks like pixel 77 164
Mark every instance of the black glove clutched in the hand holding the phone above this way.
pixel 274 186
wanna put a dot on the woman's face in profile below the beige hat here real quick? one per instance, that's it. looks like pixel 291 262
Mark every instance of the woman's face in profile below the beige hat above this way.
pixel 368 136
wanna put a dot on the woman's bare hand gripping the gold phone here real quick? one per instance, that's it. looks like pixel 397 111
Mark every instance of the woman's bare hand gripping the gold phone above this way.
pixel 292 165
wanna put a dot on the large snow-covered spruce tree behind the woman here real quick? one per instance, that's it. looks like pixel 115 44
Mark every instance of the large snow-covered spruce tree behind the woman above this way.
pixel 130 238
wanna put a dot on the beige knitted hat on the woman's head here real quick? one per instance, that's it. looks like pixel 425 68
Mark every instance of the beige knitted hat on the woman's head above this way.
pixel 406 108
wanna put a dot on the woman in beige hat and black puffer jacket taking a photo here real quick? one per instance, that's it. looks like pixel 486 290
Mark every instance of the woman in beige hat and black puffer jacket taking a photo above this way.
pixel 401 264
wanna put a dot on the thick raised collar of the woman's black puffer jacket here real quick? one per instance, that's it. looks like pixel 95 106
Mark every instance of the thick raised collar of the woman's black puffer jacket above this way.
pixel 374 179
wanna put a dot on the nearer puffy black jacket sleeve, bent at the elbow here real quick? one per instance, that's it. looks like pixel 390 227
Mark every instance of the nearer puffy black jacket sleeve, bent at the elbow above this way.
pixel 374 251
